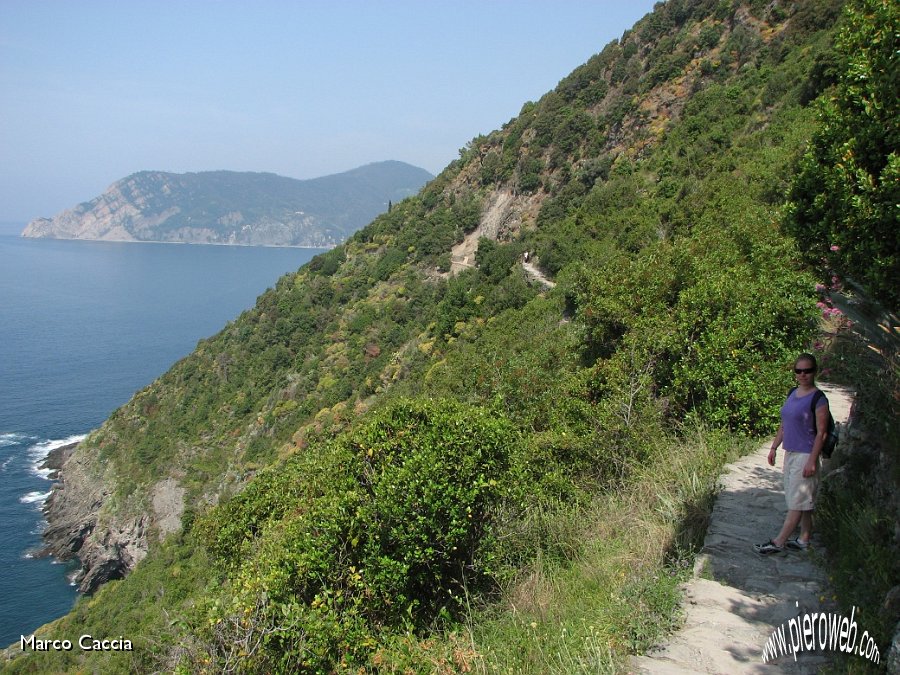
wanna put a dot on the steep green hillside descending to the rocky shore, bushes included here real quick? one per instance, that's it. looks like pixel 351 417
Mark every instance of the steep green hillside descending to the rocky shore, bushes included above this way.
pixel 648 183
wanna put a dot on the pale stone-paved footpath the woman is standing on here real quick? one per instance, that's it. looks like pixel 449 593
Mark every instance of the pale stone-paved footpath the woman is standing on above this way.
pixel 728 620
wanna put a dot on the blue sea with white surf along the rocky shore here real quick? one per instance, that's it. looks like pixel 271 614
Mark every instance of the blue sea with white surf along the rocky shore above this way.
pixel 83 325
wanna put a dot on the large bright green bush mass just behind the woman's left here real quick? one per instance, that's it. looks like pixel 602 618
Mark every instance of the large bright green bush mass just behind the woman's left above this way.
pixel 700 321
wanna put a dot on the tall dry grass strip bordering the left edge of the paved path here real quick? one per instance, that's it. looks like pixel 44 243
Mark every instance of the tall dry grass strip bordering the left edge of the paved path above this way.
pixel 620 592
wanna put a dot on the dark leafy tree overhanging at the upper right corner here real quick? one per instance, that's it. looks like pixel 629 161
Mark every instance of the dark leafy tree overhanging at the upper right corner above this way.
pixel 844 200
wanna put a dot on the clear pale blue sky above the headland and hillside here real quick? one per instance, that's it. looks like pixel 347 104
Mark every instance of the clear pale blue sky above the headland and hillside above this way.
pixel 92 91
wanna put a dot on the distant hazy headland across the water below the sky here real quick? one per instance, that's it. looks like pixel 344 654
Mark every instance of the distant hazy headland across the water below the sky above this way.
pixel 228 207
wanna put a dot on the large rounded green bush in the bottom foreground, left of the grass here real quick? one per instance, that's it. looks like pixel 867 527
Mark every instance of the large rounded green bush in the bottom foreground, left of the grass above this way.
pixel 383 529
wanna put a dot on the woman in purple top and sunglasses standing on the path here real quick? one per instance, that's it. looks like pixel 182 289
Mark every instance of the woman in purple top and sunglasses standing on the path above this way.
pixel 803 436
